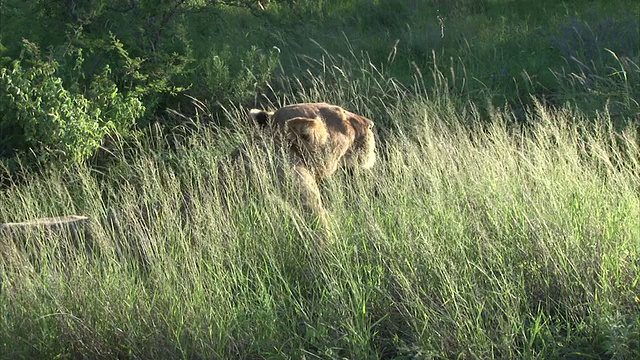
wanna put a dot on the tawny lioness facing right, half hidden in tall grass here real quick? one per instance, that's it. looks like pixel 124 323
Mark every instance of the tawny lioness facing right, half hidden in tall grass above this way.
pixel 318 138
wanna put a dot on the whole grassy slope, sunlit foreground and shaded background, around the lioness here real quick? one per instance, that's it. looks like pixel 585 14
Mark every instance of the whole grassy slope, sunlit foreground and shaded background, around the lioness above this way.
pixel 501 220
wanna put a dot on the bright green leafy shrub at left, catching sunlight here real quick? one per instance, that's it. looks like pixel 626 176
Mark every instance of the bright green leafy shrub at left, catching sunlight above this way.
pixel 44 117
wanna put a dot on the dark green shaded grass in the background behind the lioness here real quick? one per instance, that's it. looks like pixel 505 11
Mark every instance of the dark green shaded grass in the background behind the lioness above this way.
pixel 500 51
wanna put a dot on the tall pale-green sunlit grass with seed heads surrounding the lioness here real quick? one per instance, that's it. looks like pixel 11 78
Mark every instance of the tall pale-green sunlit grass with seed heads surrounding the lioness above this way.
pixel 472 237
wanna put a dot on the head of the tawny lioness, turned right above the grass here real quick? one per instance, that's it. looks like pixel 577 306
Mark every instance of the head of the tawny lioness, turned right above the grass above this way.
pixel 323 136
